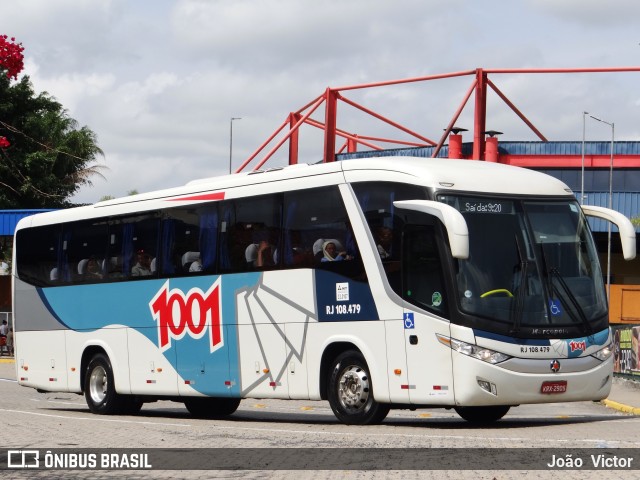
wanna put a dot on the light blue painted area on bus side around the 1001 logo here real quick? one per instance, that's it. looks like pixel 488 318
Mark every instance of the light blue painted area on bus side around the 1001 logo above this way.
pixel 91 307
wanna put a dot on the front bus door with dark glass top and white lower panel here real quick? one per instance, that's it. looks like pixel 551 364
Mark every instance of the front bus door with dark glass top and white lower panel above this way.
pixel 428 361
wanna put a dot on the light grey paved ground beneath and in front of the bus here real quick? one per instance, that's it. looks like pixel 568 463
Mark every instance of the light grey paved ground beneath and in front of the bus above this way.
pixel 62 421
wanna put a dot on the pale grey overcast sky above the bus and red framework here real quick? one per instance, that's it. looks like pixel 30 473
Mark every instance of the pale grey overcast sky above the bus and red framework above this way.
pixel 159 80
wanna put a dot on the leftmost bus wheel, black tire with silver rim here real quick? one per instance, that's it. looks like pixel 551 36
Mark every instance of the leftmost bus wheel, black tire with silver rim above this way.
pixel 99 387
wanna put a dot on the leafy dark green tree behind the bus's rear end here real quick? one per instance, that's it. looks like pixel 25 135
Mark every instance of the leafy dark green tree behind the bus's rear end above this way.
pixel 48 157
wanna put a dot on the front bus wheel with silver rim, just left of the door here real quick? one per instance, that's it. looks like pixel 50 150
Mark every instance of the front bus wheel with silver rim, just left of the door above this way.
pixel 351 391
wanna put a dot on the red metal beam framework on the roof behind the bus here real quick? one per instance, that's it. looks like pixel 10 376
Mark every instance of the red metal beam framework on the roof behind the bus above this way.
pixel 483 148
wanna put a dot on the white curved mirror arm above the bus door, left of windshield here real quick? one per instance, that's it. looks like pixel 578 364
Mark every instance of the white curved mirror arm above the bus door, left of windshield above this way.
pixel 453 221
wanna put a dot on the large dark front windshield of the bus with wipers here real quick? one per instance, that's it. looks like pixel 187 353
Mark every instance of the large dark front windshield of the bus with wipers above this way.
pixel 532 266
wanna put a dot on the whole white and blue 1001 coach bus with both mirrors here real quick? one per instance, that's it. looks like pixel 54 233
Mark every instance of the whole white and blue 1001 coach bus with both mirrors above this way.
pixel 373 284
